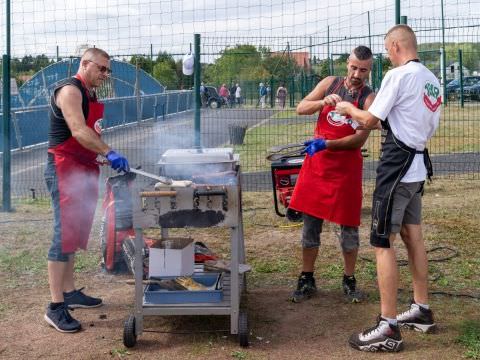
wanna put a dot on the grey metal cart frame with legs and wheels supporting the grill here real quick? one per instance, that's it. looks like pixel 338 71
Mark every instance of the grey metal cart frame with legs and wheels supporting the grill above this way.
pixel 146 215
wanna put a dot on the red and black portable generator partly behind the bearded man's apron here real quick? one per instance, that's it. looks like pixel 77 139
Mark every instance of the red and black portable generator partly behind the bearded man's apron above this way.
pixel 284 177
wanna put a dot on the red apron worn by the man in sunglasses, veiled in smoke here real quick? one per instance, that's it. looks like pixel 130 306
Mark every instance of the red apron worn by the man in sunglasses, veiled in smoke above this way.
pixel 77 173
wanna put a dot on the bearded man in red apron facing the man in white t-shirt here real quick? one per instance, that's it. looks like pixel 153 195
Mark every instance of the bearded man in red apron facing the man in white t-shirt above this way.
pixel 329 186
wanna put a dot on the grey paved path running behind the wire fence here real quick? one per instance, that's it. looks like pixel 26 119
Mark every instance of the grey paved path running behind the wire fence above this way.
pixel 144 143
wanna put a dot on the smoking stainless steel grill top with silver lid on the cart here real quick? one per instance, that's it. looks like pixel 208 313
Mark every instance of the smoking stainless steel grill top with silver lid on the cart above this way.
pixel 212 199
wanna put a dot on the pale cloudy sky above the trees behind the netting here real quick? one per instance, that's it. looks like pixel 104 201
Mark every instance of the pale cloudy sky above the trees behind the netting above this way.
pixel 126 27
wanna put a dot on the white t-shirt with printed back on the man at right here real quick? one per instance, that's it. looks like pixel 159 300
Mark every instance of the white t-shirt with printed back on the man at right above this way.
pixel 410 98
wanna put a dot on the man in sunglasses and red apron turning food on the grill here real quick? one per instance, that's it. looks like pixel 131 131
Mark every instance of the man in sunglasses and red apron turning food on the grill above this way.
pixel 72 180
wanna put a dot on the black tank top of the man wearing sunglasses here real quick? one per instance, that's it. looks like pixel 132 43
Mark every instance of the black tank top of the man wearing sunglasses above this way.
pixel 59 131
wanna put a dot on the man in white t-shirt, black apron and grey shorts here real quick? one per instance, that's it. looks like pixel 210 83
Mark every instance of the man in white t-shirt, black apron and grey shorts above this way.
pixel 410 98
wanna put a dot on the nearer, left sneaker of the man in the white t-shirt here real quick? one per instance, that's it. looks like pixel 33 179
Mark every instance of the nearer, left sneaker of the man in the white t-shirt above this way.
pixel 381 337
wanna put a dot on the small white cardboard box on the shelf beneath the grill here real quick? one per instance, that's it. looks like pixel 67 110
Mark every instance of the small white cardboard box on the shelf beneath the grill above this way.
pixel 171 257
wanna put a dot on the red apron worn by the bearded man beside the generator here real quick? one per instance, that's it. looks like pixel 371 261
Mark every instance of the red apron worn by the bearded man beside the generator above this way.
pixel 329 185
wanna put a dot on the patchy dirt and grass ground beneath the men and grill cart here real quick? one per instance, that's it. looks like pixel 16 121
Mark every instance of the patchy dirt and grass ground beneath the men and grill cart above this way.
pixel 318 328
